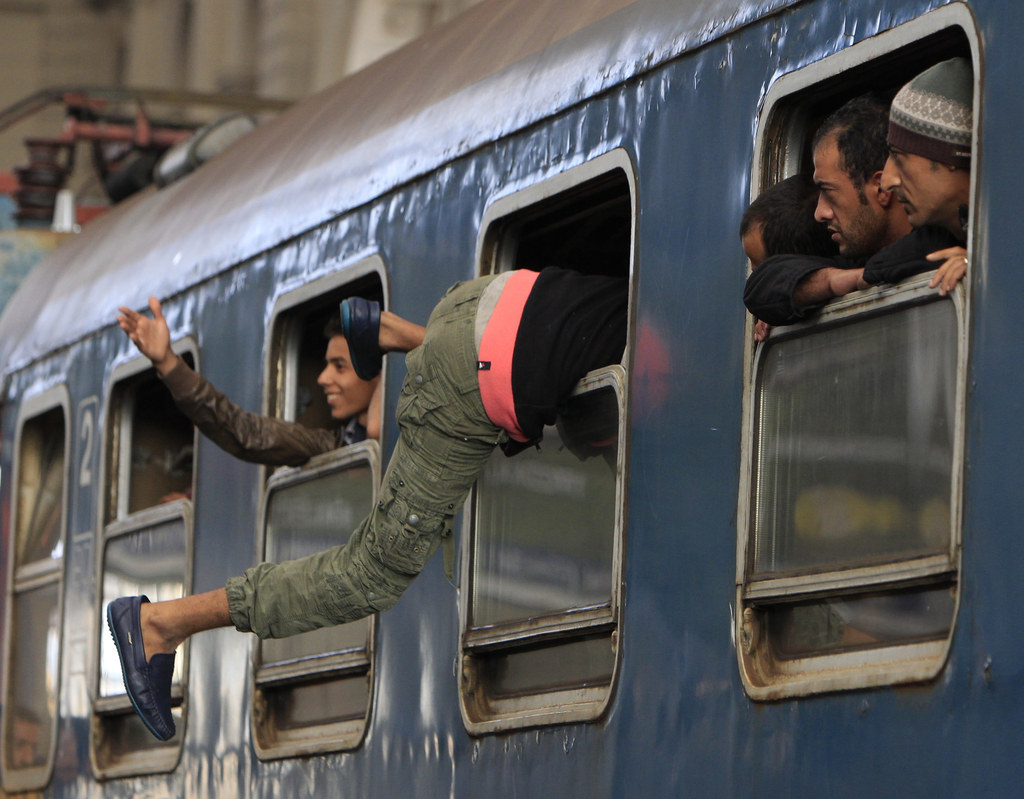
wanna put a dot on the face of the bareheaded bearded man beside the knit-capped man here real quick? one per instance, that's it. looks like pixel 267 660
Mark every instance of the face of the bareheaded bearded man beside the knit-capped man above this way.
pixel 854 215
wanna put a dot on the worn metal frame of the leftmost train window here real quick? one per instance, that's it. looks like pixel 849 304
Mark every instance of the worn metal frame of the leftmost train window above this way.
pixel 34 576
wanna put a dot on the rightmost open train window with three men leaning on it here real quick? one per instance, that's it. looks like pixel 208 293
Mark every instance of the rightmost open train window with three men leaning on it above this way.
pixel 849 567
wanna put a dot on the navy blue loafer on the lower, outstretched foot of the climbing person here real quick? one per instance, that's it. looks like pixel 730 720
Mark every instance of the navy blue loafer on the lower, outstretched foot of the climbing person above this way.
pixel 148 684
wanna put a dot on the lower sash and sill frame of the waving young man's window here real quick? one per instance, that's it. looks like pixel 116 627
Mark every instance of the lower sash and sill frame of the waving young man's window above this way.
pixel 335 737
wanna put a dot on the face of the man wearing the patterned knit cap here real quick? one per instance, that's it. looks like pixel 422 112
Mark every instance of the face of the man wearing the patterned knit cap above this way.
pixel 932 193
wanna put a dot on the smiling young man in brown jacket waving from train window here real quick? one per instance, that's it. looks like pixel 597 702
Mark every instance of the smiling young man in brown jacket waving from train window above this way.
pixel 251 437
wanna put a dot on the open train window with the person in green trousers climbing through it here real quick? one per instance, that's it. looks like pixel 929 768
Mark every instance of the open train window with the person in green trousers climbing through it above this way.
pixel 543 560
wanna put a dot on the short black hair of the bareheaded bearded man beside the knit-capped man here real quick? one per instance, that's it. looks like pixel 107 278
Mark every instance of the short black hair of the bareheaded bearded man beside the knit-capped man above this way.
pixel 860 128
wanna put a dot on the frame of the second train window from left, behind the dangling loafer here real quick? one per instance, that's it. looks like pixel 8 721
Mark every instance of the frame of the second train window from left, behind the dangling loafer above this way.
pixel 114 522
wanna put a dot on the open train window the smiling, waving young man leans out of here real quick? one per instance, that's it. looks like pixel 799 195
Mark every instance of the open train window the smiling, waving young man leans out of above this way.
pixel 313 693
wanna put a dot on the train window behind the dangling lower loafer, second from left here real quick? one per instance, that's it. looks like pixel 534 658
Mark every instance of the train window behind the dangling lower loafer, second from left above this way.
pixel 146 550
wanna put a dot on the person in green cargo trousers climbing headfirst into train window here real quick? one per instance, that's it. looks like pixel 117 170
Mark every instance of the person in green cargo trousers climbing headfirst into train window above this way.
pixel 498 359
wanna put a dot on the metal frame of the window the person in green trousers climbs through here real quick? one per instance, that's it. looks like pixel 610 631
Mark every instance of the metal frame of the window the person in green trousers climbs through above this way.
pixel 483 714
